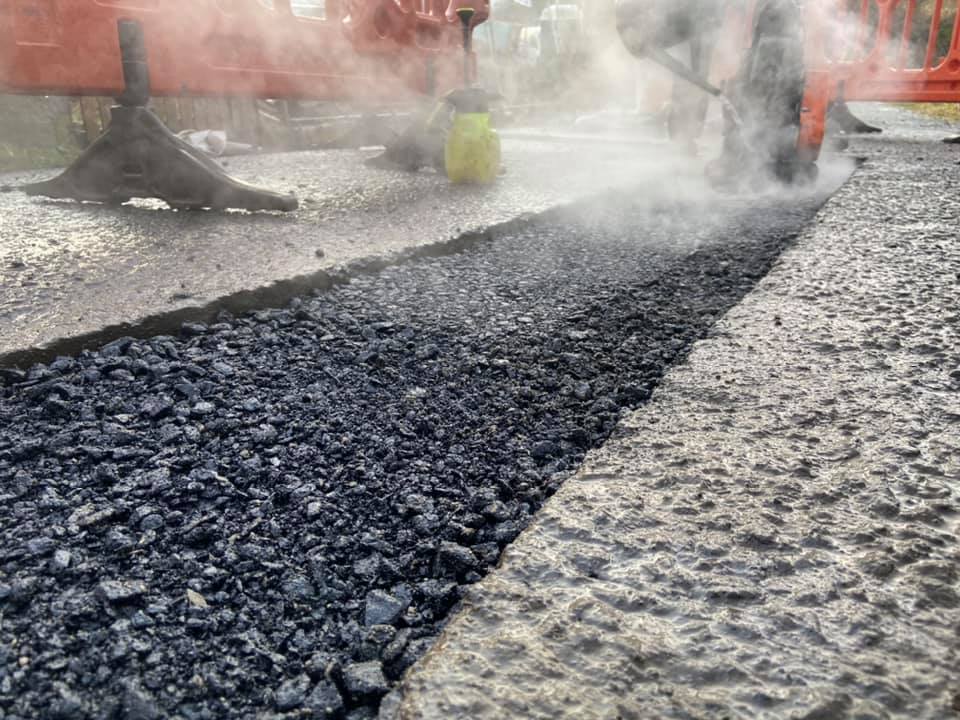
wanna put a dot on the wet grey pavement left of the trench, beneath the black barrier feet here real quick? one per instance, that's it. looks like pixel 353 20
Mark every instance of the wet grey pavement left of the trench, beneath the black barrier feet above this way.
pixel 67 269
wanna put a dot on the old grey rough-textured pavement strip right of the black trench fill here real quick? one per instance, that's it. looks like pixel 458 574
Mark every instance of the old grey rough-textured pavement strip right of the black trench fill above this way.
pixel 775 534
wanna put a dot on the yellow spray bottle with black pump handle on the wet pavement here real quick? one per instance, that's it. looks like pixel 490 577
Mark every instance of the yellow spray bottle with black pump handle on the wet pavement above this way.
pixel 472 150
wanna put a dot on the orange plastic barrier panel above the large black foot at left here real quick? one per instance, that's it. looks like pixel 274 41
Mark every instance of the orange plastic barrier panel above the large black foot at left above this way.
pixel 383 50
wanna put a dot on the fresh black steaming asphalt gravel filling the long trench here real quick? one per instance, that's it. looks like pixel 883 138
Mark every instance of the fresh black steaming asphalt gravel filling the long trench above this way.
pixel 274 515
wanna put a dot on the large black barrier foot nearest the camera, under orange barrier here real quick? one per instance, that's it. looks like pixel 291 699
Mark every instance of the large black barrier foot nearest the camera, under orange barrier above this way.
pixel 139 157
